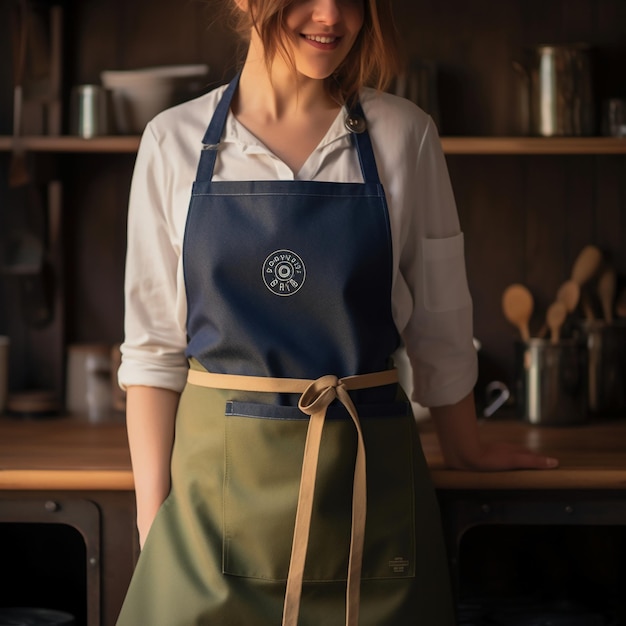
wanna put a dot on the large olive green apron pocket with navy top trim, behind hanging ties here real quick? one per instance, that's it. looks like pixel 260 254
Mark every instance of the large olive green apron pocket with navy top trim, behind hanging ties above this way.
pixel 264 447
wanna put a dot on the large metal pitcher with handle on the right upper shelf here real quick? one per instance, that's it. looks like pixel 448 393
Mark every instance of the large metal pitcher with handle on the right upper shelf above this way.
pixel 559 90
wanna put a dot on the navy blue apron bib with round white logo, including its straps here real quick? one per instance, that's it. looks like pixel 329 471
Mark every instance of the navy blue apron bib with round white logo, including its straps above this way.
pixel 288 278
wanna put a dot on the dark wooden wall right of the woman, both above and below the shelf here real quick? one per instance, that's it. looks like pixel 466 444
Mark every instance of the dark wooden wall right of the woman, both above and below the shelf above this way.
pixel 525 217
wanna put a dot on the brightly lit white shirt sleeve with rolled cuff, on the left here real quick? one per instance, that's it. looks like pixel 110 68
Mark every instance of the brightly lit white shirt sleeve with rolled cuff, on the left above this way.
pixel 155 340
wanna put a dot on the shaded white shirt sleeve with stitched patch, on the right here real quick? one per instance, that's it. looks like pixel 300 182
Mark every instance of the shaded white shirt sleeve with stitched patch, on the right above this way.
pixel 433 306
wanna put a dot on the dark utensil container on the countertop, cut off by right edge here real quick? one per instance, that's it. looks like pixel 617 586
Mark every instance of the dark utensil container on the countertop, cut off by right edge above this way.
pixel 606 344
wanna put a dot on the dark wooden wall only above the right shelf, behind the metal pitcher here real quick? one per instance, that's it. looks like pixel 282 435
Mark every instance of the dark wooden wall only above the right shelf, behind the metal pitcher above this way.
pixel 475 44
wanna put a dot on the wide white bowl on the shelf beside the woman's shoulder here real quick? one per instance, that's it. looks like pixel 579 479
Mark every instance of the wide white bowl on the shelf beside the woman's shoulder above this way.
pixel 138 95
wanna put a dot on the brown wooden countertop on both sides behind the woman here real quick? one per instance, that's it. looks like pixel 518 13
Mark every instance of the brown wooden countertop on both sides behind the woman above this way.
pixel 69 453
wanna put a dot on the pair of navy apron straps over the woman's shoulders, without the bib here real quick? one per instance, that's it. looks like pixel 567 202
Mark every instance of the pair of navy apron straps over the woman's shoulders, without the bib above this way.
pixel 213 135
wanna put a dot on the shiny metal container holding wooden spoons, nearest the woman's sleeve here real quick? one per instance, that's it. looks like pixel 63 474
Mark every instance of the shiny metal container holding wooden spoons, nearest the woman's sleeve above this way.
pixel 552 382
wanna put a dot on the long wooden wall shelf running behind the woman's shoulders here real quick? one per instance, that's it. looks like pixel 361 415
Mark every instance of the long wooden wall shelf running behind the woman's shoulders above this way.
pixel 451 145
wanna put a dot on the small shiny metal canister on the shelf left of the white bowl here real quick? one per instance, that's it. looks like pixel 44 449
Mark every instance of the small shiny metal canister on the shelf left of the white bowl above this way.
pixel 90 111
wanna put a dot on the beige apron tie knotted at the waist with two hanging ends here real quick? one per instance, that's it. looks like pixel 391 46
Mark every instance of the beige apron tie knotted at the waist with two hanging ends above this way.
pixel 315 399
